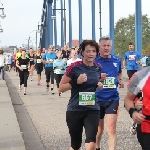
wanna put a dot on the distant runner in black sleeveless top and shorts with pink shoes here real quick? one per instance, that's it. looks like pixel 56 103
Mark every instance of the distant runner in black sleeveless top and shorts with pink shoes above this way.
pixel 39 65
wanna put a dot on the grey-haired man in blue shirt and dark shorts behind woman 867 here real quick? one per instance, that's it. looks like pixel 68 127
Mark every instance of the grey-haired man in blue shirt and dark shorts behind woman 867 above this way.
pixel 108 97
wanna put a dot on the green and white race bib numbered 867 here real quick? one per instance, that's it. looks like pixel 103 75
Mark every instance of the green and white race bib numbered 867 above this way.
pixel 86 98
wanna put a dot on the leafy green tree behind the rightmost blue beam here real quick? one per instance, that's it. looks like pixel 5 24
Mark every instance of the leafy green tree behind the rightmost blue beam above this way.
pixel 125 33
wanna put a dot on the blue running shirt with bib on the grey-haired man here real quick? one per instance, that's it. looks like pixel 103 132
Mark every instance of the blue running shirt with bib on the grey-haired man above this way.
pixel 112 67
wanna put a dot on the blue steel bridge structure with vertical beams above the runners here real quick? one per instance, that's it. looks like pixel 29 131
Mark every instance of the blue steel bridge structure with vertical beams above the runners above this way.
pixel 48 35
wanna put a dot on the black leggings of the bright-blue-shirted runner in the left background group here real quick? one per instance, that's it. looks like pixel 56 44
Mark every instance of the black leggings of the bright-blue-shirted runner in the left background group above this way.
pixel 49 75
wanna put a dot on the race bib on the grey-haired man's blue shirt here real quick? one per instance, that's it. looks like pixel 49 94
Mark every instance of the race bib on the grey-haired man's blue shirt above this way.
pixel 109 82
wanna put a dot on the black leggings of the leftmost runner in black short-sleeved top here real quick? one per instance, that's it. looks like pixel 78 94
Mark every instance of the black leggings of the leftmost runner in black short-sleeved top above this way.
pixel 23 77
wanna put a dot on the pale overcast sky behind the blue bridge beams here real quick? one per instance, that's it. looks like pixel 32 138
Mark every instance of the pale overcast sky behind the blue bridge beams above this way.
pixel 22 17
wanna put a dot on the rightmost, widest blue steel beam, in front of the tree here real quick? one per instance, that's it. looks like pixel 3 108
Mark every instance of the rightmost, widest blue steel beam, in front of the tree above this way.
pixel 138 26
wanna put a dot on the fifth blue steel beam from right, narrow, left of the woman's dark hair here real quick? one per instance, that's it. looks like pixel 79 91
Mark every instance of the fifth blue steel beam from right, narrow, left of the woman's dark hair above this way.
pixel 70 24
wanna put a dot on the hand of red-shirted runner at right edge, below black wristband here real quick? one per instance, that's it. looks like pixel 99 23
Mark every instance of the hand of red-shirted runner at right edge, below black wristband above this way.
pixel 137 117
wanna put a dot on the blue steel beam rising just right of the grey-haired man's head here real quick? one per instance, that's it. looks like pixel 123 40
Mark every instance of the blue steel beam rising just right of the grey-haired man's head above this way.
pixel 111 23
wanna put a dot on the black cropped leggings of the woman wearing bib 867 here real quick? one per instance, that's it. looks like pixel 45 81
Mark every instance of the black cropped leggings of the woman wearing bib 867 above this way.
pixel 75 122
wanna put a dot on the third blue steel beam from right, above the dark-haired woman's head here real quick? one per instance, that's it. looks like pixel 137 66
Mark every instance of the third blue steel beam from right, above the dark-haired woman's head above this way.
pixel 93 19
